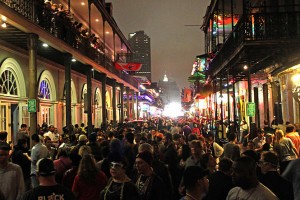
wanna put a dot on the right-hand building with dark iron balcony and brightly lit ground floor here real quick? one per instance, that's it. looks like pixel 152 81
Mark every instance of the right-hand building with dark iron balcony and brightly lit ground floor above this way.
pixel 253 57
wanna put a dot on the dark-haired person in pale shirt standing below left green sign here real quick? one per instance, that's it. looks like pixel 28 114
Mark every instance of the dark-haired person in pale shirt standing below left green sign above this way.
pixel 38 151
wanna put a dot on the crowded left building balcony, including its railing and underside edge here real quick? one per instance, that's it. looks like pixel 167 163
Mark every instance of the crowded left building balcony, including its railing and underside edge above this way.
pixel 64 32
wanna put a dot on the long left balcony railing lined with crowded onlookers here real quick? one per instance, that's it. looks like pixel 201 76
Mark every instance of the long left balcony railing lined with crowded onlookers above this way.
pixel 61 26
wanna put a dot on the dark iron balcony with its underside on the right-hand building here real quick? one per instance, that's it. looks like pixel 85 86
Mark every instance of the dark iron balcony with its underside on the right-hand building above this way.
pixel 258 39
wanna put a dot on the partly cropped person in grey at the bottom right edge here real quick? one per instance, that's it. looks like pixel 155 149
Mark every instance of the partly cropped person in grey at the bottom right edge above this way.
pixel 292 174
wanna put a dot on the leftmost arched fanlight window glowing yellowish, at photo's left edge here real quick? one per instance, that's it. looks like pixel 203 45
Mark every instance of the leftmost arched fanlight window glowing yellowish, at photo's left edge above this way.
pixel 8 83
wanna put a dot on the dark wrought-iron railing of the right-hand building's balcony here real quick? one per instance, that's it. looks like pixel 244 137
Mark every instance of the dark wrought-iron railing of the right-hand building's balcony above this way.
pixel 258 27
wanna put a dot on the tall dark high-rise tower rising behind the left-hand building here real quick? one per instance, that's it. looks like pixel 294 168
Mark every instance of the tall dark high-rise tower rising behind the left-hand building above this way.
pixel 140 43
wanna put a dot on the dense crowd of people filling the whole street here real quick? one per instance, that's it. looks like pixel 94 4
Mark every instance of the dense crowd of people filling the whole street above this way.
pixel 156 159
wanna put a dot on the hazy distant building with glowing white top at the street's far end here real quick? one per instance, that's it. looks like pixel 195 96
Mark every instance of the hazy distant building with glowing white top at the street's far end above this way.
pixel 169 91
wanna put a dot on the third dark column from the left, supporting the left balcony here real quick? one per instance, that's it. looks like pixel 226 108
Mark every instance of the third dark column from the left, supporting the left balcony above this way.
pixel 88 101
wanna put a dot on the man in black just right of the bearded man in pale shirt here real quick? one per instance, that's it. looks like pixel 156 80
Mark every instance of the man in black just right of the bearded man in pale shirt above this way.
pixel 269 164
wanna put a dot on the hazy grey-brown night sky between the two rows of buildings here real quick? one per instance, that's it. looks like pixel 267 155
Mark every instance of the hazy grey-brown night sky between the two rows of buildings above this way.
pixel 174 46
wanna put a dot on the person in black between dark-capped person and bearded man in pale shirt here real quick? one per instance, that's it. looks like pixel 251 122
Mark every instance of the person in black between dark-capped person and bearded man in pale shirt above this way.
pixel 220 182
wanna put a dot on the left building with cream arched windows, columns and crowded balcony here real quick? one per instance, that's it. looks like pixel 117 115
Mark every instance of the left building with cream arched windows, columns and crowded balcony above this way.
pixel 57 66
